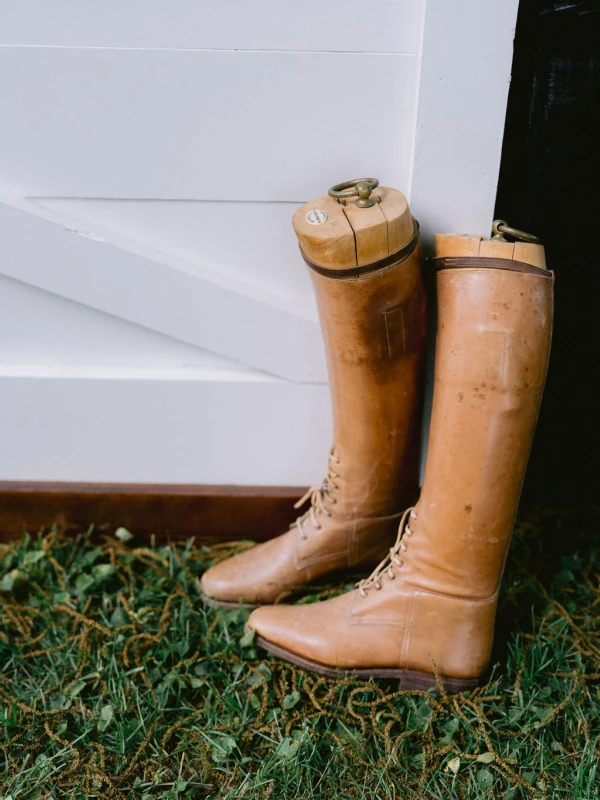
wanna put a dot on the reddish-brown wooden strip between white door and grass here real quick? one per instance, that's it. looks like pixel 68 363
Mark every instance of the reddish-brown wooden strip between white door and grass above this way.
pixel 210 513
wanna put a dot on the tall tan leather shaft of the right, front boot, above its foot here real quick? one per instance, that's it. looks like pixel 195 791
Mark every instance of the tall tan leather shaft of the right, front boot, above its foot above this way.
pixel 492 349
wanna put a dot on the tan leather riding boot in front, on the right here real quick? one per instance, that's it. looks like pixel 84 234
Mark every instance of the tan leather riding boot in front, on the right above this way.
pixel 432 601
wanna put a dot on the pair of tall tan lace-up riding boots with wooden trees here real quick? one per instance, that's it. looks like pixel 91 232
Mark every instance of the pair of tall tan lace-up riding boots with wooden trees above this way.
pixel 426 613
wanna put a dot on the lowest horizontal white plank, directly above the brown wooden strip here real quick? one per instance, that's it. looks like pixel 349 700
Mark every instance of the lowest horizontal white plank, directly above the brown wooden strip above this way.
pixel 176 431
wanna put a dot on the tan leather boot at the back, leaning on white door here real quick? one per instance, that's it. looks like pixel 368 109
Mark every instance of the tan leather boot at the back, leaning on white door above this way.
pixel 366 267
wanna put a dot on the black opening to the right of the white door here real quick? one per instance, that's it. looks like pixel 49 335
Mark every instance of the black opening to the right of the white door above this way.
pixel 549 179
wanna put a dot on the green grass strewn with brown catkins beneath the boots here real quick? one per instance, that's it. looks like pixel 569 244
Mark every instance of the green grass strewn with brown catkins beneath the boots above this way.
pixel 116 682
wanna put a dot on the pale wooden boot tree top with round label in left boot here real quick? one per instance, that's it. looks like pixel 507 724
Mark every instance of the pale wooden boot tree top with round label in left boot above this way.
pixel 340 235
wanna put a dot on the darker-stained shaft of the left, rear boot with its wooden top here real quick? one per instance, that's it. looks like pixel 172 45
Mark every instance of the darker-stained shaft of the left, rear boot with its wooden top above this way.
pixel 367 271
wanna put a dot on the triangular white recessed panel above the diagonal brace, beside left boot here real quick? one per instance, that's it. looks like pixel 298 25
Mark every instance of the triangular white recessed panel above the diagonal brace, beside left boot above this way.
pixel 253 243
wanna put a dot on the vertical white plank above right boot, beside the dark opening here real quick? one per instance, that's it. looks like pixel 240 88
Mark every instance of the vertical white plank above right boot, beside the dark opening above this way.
pixel 465 75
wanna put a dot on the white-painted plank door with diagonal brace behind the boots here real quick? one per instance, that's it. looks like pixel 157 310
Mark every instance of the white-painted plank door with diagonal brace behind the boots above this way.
pixel 156 321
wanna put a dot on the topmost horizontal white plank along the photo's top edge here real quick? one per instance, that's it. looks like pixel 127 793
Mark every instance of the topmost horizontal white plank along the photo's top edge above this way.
pixel 340 25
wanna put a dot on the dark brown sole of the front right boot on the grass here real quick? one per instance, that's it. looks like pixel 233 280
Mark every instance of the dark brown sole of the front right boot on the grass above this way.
pixel 409 679
